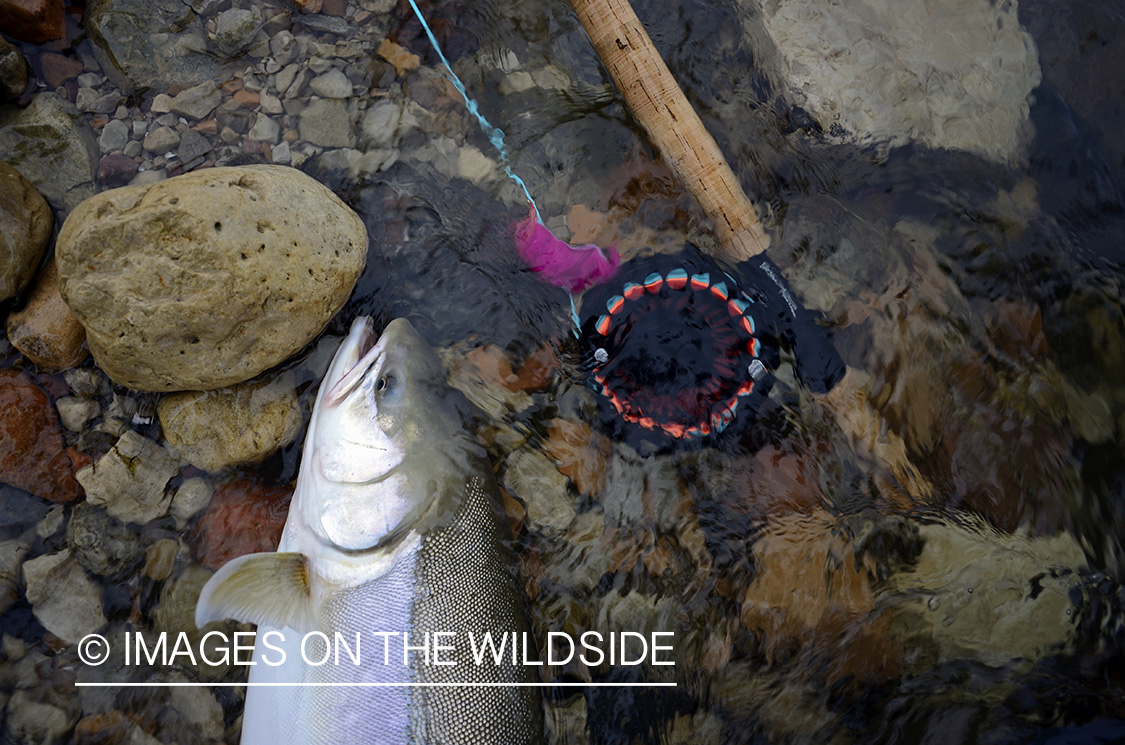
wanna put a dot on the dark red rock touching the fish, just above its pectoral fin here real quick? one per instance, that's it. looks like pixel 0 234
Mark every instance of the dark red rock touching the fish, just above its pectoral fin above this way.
pixel 244 517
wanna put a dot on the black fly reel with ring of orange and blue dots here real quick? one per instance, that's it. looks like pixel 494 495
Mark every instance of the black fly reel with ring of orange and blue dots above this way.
pixel 679 347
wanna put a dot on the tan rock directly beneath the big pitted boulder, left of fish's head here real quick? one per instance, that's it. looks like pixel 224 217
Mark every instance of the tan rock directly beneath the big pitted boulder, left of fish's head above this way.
pixel 239 426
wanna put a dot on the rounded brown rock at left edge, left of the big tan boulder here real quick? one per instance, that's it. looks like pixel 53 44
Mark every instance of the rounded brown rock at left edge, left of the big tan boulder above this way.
pixel 25 231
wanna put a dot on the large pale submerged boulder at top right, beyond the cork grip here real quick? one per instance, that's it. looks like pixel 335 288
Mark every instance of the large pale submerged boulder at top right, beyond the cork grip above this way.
pixel 951 75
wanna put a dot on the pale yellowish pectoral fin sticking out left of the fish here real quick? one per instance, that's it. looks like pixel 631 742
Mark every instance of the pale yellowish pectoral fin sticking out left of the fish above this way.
pixel 265 589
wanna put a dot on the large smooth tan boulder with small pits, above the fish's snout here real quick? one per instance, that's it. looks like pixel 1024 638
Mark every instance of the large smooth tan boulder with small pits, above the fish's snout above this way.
pixel 206 280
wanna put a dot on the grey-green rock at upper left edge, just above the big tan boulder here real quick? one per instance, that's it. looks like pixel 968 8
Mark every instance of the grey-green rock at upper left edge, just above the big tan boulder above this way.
pixel 47 145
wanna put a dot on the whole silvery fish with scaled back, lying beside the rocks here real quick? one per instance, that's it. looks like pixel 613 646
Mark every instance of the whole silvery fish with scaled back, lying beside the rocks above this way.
pixel 394 528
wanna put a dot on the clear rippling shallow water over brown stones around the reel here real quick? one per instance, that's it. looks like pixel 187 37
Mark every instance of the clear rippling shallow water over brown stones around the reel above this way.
pixel 950 576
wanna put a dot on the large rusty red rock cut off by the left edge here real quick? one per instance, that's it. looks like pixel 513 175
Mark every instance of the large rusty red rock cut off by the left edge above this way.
pixel 33 456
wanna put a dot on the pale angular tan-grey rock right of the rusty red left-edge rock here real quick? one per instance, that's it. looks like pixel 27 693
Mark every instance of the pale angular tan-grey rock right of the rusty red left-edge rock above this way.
pixel 131 481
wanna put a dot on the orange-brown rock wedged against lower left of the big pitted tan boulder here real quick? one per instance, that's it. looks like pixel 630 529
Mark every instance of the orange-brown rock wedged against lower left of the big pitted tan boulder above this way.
pixel 46 330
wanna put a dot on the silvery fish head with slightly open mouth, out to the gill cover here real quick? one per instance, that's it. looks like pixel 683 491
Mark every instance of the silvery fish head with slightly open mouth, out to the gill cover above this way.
pixel 380 437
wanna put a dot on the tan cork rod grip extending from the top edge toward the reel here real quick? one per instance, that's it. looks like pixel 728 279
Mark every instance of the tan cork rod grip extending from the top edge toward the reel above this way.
pixel 661 106
